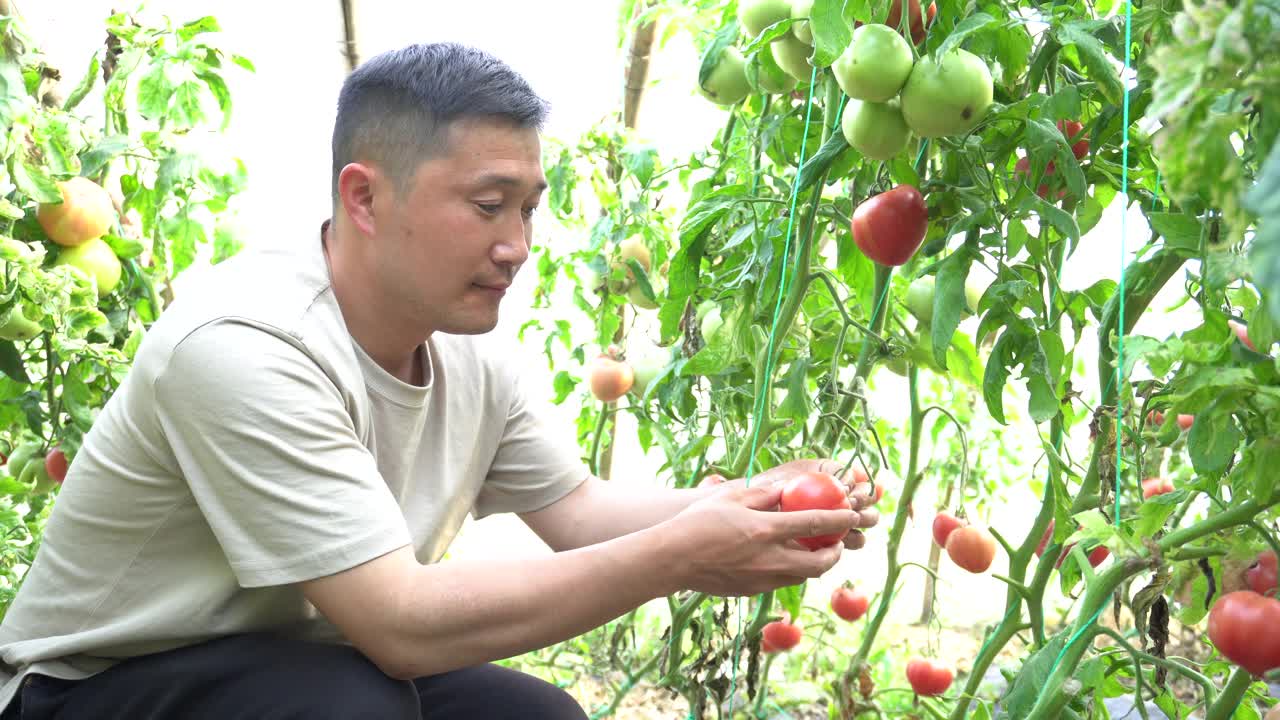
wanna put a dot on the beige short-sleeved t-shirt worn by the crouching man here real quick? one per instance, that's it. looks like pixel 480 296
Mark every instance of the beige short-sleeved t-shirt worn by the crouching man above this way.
pixel 255 445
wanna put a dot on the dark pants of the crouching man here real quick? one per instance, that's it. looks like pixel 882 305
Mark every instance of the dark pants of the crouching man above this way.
pixel 260 677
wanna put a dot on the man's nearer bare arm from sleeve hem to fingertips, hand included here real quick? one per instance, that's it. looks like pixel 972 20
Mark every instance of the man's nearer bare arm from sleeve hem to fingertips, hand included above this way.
pixel 415 621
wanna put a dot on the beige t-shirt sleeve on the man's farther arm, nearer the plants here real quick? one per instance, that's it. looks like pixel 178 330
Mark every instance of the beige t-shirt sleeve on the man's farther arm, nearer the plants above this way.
pixel 536 464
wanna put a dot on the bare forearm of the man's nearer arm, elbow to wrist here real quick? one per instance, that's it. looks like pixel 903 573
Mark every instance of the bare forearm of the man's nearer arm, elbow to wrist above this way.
pixel 463 613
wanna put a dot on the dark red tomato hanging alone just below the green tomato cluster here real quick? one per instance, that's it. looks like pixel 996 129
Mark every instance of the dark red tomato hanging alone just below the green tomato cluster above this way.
pixel 890 227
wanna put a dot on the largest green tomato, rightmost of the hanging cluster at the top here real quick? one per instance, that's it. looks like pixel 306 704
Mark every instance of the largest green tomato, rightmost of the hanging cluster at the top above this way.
pixel 948 97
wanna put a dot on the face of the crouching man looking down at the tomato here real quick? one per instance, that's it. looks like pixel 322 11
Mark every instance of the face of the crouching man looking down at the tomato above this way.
pixel 455 239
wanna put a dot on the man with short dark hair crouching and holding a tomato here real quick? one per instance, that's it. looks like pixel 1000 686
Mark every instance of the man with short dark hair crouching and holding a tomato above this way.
pixel 255 523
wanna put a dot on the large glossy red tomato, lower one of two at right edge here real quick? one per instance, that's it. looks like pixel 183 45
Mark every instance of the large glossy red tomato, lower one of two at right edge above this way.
pixel 1244 627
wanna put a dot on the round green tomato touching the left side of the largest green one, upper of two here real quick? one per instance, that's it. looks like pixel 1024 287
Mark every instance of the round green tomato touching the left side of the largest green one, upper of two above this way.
pixel 875 66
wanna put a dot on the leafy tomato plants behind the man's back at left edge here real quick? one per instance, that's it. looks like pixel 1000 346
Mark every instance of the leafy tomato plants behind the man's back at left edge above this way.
pixel 100 211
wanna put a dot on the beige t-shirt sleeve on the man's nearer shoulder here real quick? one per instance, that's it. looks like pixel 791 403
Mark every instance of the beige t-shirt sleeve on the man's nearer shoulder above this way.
pixel 264 439
